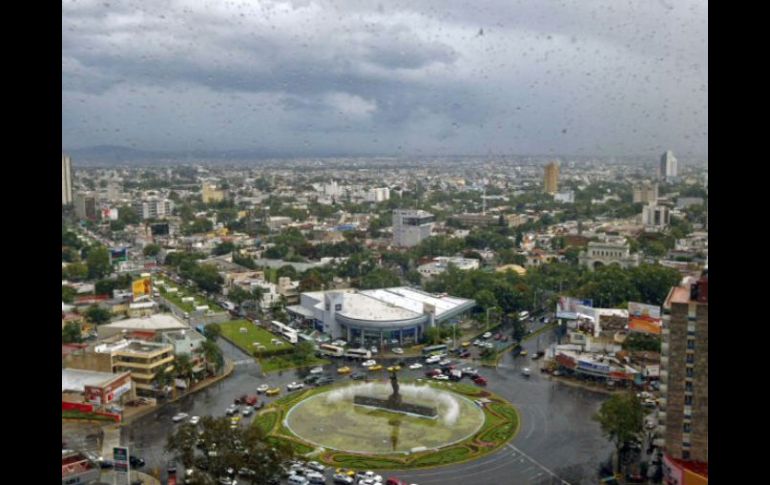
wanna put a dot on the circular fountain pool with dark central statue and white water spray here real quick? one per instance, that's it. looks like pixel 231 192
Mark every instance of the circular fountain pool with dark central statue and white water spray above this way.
pixel 380 418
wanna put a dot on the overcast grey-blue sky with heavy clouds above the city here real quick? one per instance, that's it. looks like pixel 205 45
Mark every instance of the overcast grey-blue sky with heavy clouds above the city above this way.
pixel 430 77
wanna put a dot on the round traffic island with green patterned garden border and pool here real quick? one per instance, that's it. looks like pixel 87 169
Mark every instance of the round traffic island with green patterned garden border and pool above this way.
pixel 325 423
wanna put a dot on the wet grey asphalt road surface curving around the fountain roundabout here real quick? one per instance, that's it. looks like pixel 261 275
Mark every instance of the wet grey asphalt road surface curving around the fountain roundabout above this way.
pixel 558 443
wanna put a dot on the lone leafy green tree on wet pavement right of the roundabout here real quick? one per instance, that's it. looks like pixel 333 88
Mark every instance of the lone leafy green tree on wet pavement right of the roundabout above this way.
pixel 621 418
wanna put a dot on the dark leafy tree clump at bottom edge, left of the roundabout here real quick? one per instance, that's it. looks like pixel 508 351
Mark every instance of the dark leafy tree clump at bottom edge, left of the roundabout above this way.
pixel 264 456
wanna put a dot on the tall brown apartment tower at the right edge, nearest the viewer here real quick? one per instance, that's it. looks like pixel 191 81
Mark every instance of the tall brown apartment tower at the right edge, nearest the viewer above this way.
pixel 683 419
